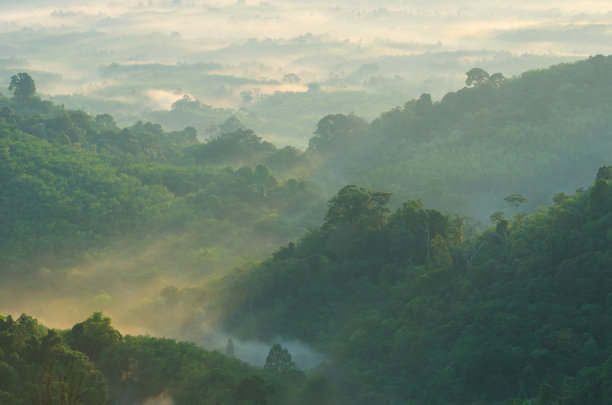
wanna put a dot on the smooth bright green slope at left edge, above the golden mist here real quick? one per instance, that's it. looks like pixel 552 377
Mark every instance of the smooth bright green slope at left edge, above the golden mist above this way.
pixel 57 200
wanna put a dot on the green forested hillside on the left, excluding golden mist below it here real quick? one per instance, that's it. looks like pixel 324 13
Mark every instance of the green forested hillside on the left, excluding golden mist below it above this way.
pixel 73 182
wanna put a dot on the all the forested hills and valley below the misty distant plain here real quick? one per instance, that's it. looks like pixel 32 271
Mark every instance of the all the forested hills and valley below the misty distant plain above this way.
pixel 451 251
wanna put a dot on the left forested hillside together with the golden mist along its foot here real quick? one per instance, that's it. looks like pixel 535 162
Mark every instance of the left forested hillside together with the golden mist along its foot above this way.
pixel 97 217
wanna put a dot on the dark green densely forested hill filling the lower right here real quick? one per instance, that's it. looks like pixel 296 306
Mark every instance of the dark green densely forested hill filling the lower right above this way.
pixel 415 307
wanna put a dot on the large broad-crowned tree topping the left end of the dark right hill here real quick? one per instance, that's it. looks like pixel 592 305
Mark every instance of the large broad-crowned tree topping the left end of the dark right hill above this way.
pixel 357 207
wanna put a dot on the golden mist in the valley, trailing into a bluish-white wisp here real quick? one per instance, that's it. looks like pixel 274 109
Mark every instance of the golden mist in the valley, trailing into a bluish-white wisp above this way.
pixel 145 288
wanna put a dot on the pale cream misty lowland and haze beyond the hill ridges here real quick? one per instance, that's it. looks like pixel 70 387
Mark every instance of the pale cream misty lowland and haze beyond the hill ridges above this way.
pixel 408 46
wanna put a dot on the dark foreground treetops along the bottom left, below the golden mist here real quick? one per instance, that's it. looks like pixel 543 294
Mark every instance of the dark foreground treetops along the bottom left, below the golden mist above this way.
pixel 92 363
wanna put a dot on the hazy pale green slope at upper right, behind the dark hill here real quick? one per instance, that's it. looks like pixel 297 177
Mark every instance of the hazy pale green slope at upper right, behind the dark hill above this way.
pixel 538 133
